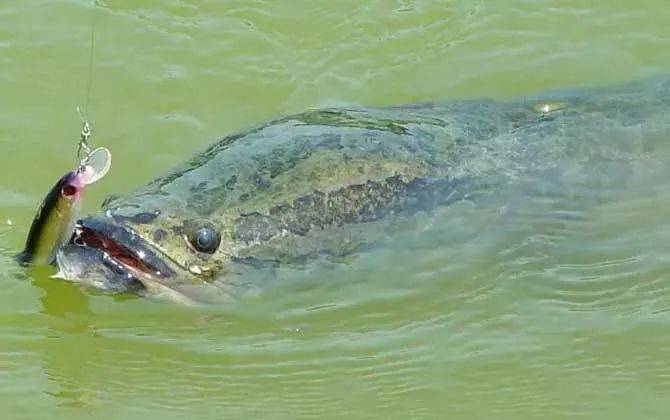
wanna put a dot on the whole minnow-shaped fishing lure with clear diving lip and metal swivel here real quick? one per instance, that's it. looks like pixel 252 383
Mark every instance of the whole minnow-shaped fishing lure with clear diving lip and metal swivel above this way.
pixel 56 217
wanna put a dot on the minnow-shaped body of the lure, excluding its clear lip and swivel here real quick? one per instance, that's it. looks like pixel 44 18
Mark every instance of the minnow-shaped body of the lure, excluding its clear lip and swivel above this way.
pixel 55 220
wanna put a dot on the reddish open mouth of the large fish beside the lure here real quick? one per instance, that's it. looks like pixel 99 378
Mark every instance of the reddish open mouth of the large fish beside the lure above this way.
pixel 120 249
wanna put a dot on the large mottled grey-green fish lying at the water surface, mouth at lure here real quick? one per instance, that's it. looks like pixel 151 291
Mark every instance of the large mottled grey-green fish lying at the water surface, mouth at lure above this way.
pixel 325 181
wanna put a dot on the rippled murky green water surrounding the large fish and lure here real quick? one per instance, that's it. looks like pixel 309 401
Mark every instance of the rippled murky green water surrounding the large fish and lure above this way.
pixel 539 308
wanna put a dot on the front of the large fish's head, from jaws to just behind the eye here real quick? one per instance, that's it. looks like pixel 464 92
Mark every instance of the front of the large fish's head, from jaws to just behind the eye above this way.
pixel 146 248
